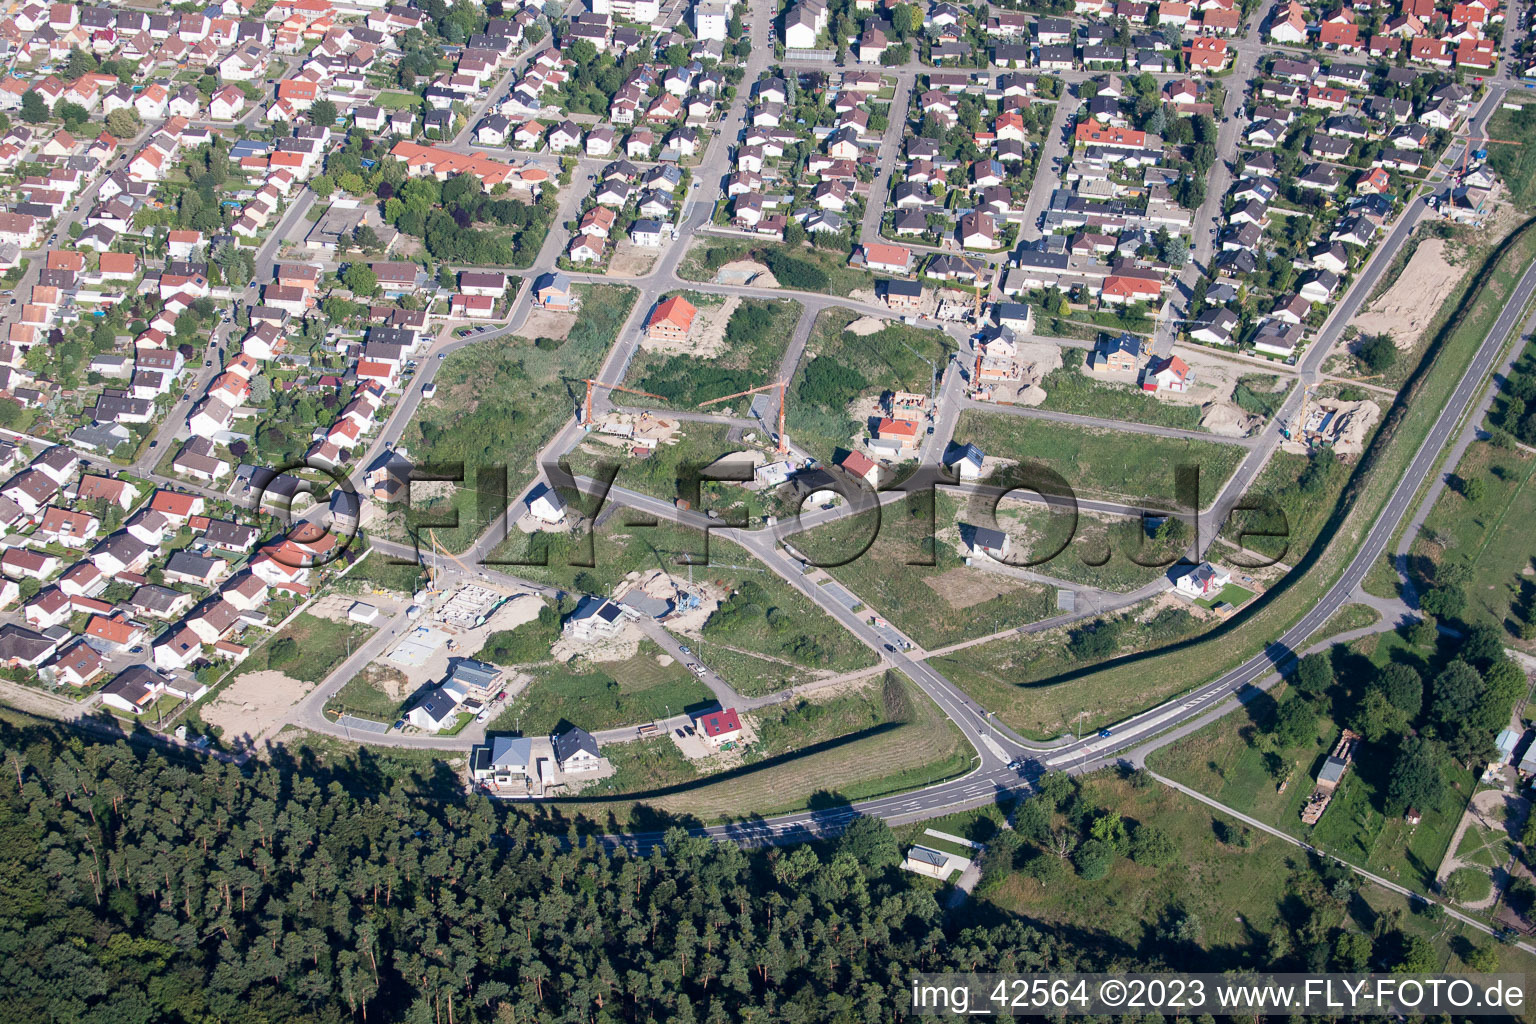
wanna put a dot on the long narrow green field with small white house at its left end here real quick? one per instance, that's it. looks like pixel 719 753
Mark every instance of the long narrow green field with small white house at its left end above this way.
pixel 1104 464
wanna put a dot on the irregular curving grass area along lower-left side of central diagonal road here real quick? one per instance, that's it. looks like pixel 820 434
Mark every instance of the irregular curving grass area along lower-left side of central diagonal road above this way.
pixel 775 642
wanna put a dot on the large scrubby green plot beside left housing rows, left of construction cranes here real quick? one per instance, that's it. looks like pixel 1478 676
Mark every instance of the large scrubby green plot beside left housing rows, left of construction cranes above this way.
pixel 498 403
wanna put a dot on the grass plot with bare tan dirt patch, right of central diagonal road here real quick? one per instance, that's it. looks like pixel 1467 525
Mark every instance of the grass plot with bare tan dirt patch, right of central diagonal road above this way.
pixel 933 604
